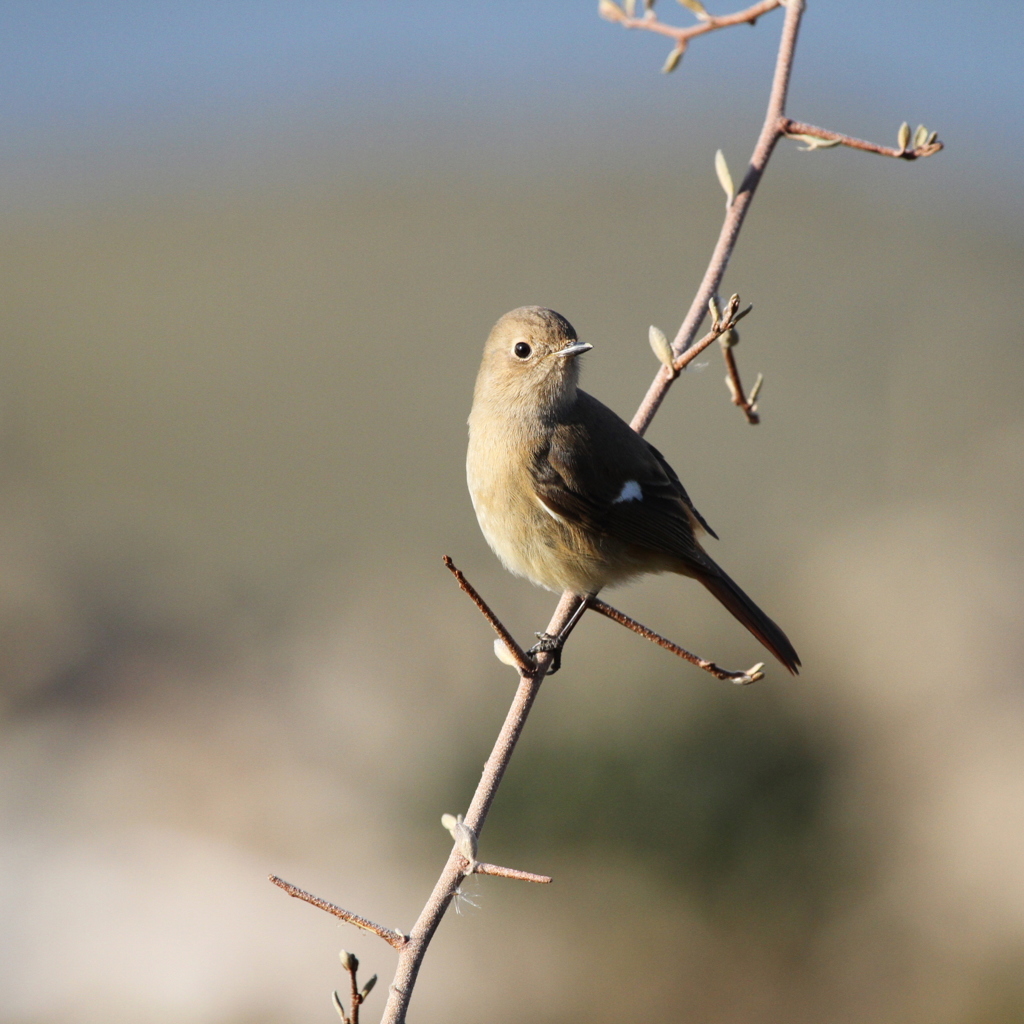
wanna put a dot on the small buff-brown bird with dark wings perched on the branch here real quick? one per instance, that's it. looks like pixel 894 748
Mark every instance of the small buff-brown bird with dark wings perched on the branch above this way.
pixel 568 494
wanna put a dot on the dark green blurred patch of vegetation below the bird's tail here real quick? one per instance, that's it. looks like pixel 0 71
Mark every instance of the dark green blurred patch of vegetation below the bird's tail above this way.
pixel 733 804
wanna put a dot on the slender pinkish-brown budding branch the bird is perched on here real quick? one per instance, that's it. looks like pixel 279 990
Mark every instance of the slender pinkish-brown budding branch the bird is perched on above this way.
pixel 675 357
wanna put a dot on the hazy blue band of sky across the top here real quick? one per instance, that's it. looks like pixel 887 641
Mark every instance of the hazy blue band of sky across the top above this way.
pixel 126 80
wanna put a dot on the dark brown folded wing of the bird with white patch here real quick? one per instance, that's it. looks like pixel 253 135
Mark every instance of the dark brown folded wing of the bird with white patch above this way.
pixel 601 475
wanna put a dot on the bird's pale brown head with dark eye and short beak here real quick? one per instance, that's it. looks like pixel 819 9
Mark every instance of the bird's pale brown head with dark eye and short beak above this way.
pixel 530 362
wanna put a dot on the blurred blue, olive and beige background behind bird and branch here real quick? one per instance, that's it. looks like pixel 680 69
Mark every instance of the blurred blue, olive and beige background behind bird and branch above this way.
pixel 250 257
